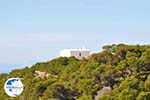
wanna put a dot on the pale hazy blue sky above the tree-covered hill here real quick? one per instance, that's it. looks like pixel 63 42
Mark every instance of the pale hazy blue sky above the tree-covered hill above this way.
pixel 36 30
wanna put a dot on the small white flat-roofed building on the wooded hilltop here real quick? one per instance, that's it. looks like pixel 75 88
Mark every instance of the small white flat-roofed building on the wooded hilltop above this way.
pixel 78 53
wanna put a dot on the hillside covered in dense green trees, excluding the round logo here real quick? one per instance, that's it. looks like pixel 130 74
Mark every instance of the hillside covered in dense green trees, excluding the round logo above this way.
pixel 118 72
